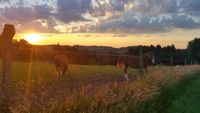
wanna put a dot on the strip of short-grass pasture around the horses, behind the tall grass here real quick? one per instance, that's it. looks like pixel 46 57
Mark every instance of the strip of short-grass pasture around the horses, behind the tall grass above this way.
pixel 23 71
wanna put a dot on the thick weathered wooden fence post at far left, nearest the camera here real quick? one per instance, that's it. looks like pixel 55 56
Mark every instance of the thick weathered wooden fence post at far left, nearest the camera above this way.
pixel 6 48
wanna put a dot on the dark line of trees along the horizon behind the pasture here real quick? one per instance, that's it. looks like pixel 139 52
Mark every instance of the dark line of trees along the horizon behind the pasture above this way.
pixel 23 51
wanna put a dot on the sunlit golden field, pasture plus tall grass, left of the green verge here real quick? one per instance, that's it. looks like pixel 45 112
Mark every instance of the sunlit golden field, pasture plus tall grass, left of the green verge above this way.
pixel 88 88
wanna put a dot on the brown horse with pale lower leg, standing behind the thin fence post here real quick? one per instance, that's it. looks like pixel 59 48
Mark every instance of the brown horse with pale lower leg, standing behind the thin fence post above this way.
pixel 133 62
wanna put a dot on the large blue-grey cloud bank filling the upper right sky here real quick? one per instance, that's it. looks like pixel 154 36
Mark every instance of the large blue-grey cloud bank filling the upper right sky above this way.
pixel 155 16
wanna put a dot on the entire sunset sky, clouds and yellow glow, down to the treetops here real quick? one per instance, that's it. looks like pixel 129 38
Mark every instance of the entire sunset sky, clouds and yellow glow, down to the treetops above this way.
pixel 116 23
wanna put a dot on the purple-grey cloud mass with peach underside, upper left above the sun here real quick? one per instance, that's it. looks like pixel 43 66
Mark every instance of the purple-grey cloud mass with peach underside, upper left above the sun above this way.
pixel 25 16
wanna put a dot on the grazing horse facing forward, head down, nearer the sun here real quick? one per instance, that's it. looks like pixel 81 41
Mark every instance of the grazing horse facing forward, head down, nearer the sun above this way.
pixel 61 63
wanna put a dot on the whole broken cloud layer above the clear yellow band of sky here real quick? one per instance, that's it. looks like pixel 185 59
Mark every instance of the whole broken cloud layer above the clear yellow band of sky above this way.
pixel 132 16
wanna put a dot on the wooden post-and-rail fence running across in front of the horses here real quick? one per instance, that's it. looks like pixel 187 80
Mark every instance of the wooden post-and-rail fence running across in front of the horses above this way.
pixel 6 39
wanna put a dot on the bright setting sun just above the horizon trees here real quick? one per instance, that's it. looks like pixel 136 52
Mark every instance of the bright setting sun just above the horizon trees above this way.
pixel 32 38
